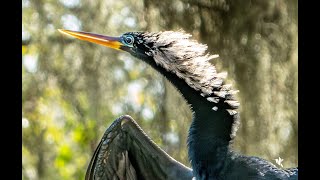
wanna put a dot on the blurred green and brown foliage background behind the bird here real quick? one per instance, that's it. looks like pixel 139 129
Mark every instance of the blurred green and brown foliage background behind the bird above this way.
pixel 72 90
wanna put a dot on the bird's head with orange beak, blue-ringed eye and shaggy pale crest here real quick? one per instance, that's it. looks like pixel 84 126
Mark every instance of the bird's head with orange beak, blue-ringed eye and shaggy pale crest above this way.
pixel 173 51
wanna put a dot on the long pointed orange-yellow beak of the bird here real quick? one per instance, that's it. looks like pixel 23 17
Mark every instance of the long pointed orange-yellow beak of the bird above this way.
pixel 111 42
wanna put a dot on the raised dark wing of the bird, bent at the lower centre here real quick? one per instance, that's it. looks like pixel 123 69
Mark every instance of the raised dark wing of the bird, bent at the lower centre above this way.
pixel 125 152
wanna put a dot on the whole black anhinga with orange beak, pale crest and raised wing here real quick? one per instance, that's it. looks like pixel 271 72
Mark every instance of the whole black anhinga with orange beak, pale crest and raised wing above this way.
pixel 126 152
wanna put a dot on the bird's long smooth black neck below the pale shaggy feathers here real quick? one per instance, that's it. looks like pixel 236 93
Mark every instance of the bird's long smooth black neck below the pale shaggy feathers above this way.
pixel 209 134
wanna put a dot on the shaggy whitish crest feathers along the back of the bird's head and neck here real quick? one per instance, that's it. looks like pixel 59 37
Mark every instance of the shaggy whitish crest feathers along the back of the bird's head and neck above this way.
pixel 186 58
